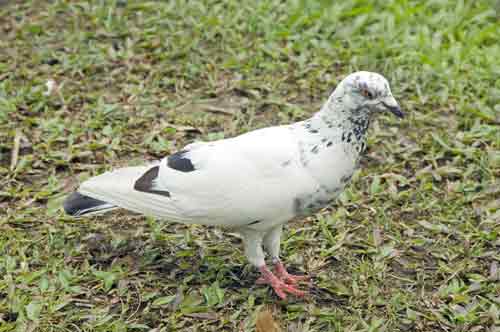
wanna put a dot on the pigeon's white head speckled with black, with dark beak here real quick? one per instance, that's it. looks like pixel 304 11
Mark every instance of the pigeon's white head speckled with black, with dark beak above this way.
pixel 366 93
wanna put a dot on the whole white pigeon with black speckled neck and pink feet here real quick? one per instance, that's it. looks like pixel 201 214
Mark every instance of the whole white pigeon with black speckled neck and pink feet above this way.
pixel 253 183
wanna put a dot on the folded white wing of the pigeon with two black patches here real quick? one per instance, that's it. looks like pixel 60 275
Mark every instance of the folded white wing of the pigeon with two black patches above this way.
pixel 233 182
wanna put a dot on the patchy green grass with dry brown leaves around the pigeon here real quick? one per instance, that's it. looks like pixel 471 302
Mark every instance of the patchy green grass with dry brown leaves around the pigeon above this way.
pixel 412 245
